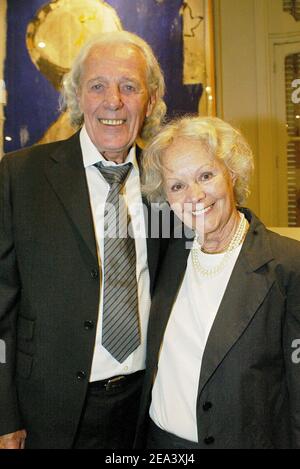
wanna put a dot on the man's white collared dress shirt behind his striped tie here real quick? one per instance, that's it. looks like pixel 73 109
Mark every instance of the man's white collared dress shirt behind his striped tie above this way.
pixel 104 365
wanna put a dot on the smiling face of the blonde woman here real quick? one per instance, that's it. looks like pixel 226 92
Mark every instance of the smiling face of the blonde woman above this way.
pixel 199 188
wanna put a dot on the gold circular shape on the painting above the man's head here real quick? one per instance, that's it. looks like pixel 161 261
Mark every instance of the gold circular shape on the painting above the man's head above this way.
pixel 60 28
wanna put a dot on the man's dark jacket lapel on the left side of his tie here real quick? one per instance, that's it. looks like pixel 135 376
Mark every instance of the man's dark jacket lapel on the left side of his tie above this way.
pixel 65 172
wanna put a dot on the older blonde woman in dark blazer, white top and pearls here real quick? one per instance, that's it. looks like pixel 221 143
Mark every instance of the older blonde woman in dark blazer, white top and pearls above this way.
pixel 222 366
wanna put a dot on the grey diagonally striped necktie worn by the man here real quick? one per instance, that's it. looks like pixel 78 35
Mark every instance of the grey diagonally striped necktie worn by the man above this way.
pixel 120 328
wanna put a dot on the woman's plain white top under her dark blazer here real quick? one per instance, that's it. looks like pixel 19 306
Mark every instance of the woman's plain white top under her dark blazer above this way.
pixel 175 390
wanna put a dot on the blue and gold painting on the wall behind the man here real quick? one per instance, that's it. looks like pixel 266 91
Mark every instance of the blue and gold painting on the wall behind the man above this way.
pixel 43 38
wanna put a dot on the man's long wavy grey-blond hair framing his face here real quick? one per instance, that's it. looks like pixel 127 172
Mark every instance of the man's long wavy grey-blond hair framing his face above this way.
pixel 155 79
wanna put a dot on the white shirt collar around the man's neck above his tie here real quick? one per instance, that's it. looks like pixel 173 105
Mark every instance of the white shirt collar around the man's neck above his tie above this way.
pixel 91 155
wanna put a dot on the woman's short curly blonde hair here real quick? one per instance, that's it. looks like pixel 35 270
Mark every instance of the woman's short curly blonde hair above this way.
pixel 221 140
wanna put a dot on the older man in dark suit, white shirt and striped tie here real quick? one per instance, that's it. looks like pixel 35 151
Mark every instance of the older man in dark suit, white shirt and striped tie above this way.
pixel 74 292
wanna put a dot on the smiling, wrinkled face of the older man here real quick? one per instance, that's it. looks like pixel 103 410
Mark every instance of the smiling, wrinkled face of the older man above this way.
pixel 114 99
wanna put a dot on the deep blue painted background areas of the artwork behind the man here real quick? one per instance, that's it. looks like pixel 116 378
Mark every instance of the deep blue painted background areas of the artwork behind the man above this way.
pixel 32 100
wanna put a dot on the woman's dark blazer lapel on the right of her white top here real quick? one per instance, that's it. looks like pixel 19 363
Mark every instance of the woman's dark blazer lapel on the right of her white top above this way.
pixel 246 290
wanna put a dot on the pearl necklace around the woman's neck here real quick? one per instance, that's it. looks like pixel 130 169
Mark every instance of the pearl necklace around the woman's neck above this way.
pixel 234 243
